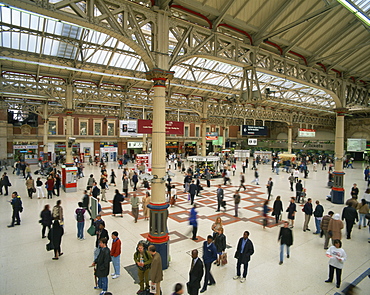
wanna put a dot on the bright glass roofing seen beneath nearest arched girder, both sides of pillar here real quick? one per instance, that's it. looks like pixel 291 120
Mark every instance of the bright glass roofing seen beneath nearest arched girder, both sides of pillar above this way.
pixel 30 32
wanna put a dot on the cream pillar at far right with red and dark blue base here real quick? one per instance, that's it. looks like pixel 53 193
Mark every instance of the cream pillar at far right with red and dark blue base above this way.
pixel 337 192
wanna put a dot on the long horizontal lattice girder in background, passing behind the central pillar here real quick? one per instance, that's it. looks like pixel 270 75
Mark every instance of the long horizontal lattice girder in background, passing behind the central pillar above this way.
pixel 89 98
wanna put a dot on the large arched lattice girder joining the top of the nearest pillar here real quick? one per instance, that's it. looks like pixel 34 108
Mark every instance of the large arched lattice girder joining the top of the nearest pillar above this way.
pixel 125 20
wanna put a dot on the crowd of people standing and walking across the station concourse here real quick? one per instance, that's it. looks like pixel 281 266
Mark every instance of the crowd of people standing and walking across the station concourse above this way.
pixel 146 258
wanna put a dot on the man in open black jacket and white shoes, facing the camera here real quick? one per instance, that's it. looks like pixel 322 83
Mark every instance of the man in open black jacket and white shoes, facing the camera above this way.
pixel 243 254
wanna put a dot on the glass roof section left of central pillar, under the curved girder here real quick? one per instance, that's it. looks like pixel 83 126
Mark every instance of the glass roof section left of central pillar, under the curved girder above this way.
pixel 26 31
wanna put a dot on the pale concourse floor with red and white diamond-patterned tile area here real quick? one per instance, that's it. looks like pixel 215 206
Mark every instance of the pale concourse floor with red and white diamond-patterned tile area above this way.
pixel 27 268
